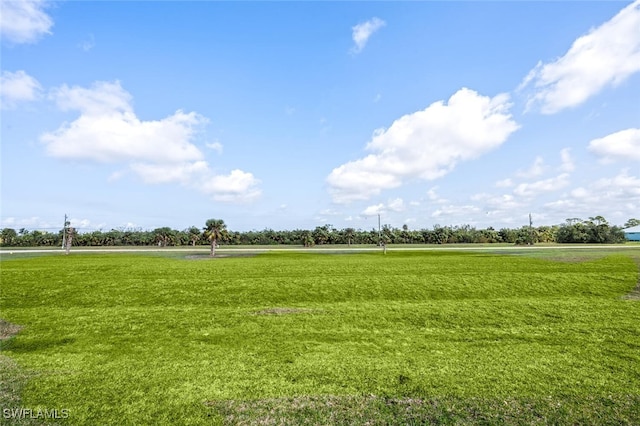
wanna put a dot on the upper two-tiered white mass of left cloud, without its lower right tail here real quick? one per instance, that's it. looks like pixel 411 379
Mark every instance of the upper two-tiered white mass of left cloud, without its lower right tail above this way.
pixel 108 130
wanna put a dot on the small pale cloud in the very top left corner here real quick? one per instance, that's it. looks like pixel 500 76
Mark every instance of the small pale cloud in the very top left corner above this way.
pixel 24 21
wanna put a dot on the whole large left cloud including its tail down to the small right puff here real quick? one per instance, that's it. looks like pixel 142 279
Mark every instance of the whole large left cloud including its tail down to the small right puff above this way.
pixel 158 151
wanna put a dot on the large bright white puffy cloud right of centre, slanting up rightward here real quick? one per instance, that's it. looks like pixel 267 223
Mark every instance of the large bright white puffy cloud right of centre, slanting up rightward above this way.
pixel 426 145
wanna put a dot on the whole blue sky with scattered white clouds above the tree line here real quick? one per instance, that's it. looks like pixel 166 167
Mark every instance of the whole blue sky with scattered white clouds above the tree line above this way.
pixel 290 115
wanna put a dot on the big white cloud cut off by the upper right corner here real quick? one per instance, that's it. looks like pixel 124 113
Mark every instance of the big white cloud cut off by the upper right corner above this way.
pixel 606 56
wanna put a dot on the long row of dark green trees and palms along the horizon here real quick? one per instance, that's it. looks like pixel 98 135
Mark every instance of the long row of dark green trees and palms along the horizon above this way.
pixel 574 230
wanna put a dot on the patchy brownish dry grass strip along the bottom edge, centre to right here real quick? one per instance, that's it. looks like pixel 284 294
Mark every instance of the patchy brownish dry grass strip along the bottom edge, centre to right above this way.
pixel 379 410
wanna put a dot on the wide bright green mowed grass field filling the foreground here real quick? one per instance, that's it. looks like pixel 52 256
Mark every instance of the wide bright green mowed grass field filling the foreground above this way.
pixel 357 338
